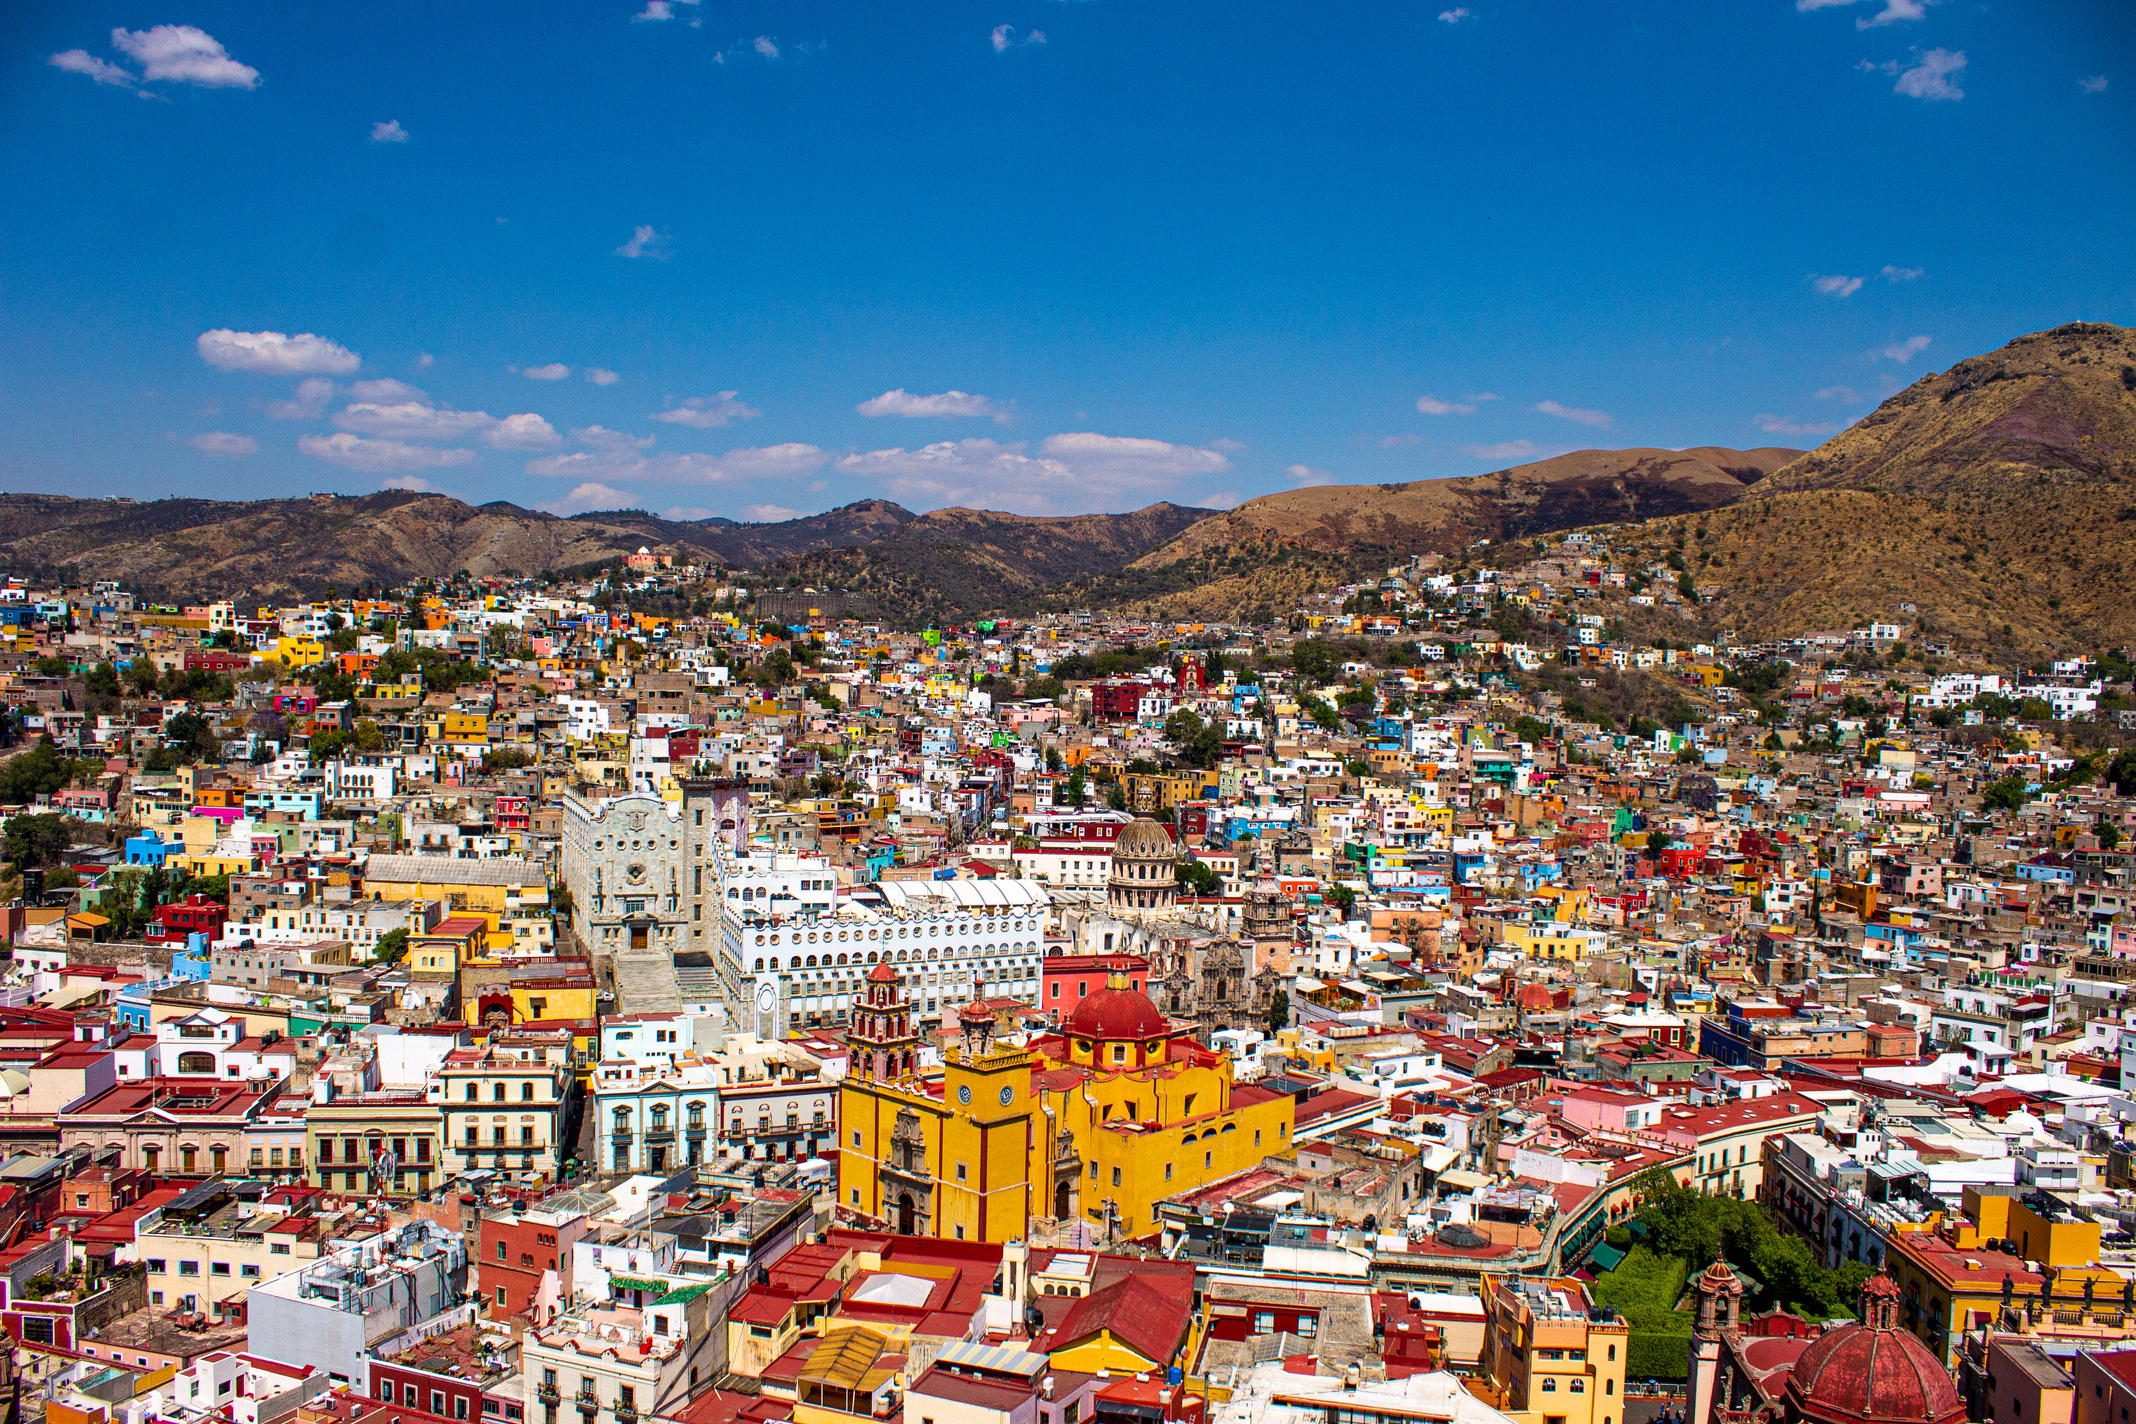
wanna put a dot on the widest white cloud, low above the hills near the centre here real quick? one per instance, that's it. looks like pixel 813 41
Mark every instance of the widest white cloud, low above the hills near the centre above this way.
pixel 1071 473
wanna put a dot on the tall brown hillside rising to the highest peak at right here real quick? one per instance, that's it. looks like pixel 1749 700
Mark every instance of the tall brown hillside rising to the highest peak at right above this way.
pixel 1998 494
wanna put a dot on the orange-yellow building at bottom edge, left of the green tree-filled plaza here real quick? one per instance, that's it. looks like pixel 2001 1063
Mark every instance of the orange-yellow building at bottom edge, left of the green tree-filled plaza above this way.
pixel 1545 1355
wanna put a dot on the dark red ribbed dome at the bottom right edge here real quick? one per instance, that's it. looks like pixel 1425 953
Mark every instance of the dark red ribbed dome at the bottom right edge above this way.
pixel 1872 1372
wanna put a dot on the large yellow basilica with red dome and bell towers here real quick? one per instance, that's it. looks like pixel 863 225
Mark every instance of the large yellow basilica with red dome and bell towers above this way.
pixel 1099 1120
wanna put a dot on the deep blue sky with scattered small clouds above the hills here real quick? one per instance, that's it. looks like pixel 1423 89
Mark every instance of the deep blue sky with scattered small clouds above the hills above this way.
pixel 1033 255
